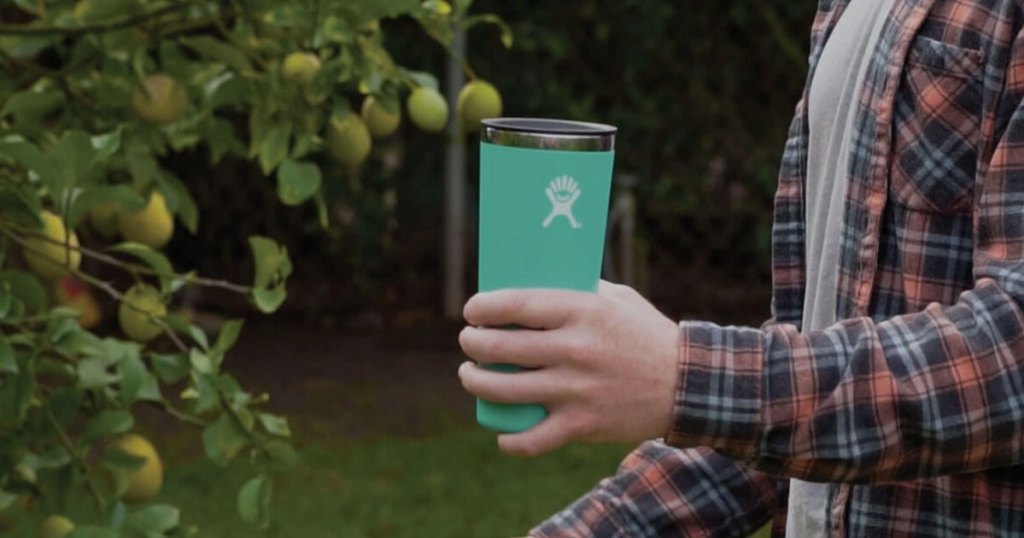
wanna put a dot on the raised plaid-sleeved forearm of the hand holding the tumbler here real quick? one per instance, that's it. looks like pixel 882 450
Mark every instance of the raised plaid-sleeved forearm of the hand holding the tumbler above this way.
pixel 920 396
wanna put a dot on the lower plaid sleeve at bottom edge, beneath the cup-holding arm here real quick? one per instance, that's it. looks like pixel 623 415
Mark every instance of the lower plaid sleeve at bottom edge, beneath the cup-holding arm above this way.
pixel 664 492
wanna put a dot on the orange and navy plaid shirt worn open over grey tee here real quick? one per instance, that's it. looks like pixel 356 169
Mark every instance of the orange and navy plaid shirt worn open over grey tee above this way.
pixel 913 407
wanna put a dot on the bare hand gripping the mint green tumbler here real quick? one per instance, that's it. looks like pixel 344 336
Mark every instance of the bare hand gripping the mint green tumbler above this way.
pixel 605 365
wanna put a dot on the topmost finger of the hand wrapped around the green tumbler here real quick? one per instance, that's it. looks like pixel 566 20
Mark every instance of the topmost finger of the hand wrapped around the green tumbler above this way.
pixel 537 309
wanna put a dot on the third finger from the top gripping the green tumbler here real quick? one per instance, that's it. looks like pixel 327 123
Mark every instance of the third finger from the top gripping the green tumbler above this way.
pixel 525 387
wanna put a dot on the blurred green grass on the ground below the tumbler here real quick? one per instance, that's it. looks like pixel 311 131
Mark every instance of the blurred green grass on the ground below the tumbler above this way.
pixel 455 485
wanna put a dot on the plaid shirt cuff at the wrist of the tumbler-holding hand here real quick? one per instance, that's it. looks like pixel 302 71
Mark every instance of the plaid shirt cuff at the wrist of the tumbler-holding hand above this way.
pixel 719 395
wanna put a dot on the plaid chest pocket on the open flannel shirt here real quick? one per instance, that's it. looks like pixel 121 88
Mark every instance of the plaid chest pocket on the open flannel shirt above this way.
pixel 937 128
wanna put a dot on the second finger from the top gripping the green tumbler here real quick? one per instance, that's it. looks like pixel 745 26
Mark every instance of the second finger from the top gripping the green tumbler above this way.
pixel 525 348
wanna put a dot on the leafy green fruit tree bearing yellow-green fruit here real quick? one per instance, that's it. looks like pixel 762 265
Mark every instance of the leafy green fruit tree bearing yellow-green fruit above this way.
pixel 96 96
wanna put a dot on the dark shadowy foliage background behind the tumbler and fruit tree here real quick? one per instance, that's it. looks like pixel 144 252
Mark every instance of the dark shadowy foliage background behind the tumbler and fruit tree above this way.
pixel 703 94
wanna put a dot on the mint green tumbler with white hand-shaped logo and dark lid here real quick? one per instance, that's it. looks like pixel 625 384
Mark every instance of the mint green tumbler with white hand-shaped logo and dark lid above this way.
pixel 544 205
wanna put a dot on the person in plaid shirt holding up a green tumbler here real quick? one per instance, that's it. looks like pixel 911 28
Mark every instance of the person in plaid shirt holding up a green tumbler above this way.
pixel 889 383
